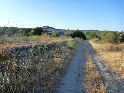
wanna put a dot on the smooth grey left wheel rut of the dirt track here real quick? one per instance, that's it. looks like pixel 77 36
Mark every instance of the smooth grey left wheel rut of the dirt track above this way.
pixel 72 81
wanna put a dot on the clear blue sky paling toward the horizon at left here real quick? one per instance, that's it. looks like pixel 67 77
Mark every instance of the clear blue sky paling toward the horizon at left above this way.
pixel 64 14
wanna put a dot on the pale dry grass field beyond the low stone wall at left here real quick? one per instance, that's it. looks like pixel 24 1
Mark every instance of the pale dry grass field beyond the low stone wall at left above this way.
pixel 20 40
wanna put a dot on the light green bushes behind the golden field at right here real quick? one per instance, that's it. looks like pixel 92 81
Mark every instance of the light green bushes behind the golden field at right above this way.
pixel 107 37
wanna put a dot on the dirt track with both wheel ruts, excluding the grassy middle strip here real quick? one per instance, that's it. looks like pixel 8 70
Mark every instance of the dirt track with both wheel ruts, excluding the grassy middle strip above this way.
pixel 73 81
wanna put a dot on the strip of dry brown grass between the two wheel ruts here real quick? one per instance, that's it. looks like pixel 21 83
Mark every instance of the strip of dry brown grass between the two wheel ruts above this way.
pixel 93 78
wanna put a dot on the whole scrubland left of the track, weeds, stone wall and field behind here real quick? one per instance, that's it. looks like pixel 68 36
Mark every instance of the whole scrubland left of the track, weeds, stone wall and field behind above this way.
pixel 34 63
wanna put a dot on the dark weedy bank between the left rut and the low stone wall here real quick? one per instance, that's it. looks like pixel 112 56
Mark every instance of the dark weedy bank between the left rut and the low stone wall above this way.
pixel 41 69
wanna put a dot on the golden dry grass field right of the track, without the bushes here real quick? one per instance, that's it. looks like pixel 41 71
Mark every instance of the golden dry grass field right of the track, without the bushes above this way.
pixel 113 56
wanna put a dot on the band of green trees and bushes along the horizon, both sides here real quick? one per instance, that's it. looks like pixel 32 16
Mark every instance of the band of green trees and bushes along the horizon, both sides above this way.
pixel 96 36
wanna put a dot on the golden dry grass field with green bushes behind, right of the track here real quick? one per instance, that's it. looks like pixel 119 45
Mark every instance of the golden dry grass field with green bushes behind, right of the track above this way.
pixel 111 47
